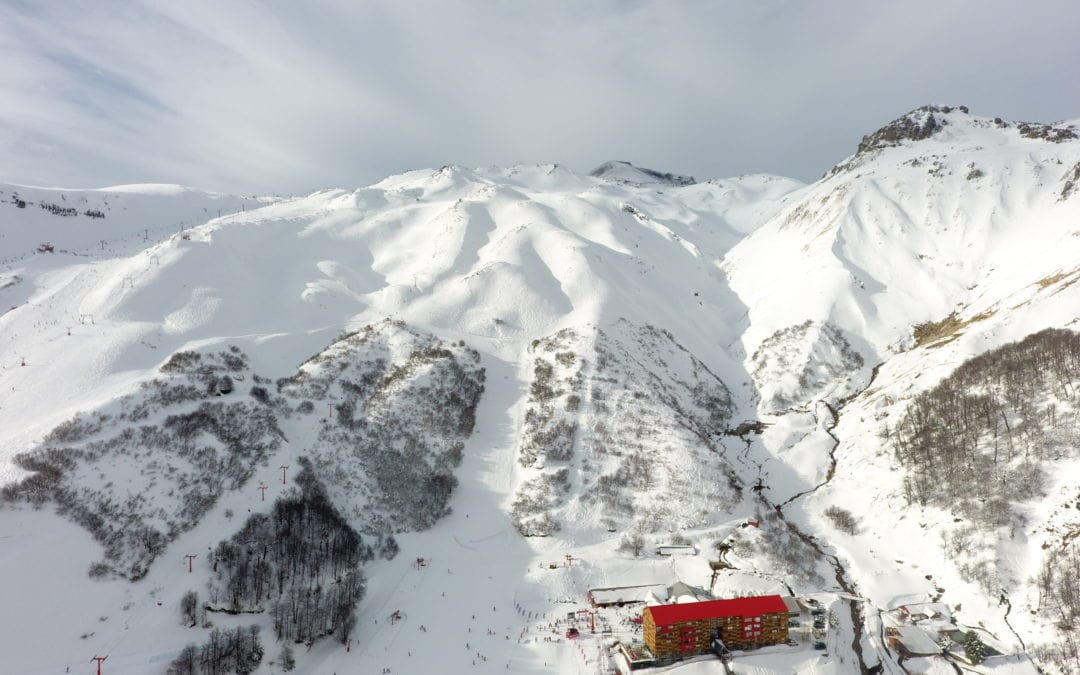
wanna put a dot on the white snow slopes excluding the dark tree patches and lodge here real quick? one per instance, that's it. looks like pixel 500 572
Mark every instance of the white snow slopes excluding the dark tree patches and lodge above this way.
pixel 665 360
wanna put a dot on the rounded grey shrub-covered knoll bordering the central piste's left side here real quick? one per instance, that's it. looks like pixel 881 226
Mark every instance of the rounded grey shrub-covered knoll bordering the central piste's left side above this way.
pixel 403 403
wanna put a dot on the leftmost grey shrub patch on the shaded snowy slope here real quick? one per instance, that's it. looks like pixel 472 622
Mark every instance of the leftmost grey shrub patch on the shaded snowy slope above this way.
pixel 148 470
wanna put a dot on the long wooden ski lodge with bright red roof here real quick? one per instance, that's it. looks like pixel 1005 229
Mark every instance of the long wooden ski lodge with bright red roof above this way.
pixel 685 630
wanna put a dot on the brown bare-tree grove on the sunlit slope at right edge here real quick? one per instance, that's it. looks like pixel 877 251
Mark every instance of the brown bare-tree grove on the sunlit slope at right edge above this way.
pixel 977 441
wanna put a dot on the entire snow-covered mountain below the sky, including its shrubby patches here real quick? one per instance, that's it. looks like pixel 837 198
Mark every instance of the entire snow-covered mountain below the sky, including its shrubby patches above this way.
pixel 531 379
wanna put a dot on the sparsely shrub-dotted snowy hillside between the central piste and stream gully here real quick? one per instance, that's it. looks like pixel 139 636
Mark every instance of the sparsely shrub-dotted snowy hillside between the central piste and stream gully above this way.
pixel 622 414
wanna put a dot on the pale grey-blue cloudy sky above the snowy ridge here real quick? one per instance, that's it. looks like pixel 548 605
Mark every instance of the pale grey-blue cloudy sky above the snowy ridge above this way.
pixel 287 97
